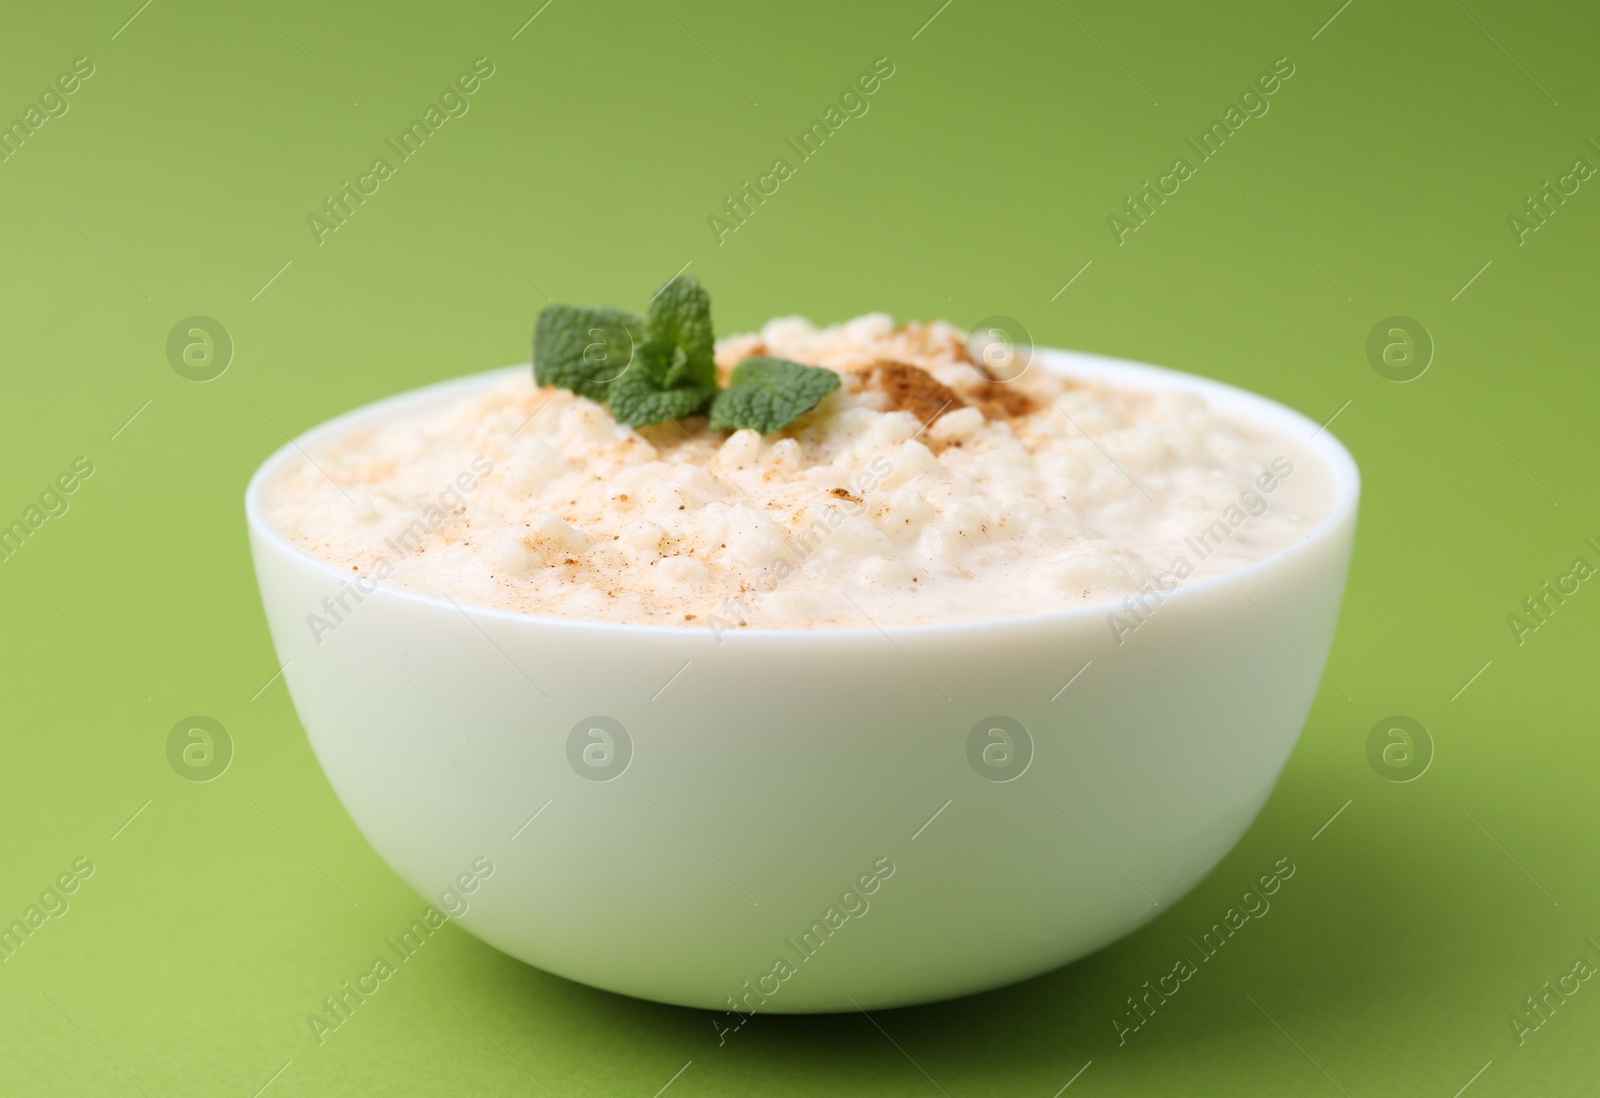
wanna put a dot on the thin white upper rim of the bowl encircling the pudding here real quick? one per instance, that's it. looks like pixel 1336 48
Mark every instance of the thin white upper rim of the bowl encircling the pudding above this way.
pixel 1118 374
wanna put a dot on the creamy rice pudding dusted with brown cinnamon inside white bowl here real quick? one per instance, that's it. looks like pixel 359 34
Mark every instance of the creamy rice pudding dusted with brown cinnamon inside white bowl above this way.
pixel 922 491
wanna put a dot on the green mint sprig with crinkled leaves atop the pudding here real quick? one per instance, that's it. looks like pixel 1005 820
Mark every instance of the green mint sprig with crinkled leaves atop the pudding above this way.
pixel 663 367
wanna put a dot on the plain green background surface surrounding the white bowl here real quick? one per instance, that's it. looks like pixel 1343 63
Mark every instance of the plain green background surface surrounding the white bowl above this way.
pixel 980 183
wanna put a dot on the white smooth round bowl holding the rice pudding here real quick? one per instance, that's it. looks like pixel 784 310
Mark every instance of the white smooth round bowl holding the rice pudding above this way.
pixel 806 820
